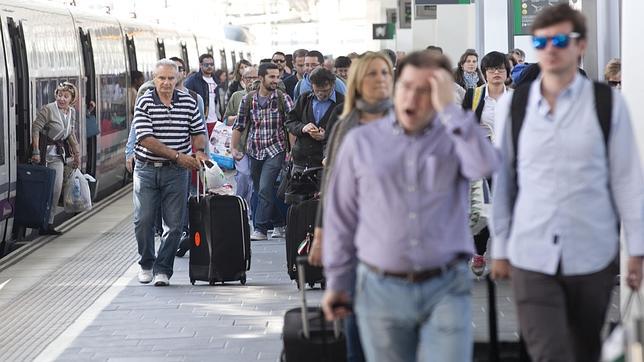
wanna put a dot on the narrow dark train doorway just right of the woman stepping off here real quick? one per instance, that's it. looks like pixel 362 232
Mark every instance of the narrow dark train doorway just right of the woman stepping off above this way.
pixel 91 122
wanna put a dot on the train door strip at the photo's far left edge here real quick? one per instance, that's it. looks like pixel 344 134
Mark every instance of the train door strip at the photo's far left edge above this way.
pixel 7 167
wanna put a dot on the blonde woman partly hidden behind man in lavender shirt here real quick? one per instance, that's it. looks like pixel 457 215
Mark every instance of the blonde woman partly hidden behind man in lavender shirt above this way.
pixel 368 98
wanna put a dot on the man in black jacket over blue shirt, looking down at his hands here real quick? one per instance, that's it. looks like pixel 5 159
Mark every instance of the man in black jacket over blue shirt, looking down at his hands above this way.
pixel 308 121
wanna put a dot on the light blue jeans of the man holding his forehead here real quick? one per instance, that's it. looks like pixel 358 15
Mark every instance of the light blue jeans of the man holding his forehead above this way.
pixel 403 321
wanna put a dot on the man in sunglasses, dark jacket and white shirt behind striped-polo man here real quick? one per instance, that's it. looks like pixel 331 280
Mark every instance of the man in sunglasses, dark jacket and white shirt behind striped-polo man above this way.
pixel 204 84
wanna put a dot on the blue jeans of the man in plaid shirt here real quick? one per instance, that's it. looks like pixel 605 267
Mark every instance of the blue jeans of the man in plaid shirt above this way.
pixel 264 174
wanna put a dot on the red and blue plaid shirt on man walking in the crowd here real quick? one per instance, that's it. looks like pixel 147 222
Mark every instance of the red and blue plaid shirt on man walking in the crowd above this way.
pixel 266 133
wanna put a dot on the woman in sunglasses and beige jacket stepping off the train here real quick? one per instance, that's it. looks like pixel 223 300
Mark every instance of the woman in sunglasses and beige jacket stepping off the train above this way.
pixel 53 141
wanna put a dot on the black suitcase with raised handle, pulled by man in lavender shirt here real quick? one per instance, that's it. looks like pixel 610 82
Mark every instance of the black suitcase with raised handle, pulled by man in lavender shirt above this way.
pixel 307 335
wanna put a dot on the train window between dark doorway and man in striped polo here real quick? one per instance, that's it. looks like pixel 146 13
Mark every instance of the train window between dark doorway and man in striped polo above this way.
pixel 113 103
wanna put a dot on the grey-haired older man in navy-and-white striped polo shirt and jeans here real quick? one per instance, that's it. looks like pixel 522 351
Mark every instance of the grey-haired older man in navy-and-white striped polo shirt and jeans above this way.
pixel 167 124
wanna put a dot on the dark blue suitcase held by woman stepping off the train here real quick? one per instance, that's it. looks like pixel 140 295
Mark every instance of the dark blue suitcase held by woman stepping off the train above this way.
pixel 34 189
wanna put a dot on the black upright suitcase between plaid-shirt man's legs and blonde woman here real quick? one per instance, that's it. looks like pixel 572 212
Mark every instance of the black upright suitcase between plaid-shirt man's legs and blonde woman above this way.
pixel 300 224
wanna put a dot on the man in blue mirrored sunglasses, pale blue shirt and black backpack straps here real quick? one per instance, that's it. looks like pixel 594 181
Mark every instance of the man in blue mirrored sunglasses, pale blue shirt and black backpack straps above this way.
pixel 559 198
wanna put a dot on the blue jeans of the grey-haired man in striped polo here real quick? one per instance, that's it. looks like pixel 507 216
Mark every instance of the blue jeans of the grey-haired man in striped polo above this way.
pixel 159 188
